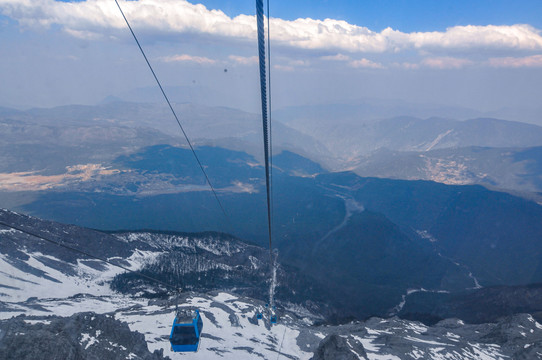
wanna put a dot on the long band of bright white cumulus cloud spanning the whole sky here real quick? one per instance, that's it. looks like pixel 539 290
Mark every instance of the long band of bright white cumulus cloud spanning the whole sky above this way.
pixel 96 17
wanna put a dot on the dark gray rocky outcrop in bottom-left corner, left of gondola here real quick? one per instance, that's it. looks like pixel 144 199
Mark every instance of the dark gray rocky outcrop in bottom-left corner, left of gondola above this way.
pixel 83 336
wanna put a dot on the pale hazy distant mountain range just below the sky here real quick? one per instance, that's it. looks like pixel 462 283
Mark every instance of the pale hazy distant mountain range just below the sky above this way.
pixel 496 153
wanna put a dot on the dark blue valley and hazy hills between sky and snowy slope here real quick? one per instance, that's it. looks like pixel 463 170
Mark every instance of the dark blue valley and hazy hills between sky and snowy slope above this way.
pixel 380 238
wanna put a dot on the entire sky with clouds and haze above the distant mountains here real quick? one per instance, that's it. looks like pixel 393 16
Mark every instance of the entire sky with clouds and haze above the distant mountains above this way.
pixel 486 55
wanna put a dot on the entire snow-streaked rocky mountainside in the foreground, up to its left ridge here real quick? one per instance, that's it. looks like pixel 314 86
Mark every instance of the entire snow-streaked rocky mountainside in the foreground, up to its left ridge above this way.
pixel 56 301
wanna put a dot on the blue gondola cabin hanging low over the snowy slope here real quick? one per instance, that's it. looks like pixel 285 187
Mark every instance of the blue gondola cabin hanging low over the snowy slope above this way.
pixel 186 331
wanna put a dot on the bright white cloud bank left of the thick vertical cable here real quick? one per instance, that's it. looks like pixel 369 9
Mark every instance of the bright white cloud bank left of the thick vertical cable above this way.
pixel 166 16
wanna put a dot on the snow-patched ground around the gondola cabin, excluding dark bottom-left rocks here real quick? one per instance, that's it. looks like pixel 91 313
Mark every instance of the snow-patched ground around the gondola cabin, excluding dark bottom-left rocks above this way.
pixel 231 330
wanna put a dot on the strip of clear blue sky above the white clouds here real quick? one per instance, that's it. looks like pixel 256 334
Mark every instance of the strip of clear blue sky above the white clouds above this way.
pixel 404 15
